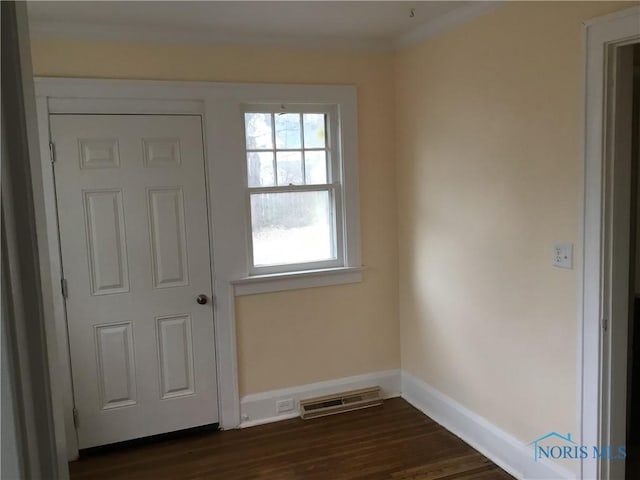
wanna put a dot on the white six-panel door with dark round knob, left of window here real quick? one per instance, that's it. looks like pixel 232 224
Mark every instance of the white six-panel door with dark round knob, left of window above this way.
pixel 134 239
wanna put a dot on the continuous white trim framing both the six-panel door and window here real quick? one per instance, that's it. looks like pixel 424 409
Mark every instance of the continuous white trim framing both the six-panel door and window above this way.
pixel 219 106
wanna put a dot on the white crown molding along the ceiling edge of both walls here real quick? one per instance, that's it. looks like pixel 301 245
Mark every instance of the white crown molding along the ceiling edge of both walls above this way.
pixel 132 33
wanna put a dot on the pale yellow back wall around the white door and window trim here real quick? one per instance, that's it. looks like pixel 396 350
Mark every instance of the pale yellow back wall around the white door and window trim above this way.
pixel 296 337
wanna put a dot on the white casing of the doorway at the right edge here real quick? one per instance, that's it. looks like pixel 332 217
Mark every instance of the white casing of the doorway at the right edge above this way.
pixel 602 37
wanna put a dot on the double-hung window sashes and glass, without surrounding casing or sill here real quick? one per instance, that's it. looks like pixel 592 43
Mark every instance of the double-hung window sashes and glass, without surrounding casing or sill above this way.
pixel 295 188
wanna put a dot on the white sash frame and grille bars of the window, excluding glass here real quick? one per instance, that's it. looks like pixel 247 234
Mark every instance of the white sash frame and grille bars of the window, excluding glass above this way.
pixel 334 185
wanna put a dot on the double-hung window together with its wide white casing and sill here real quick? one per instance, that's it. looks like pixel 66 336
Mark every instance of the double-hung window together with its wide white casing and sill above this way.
pixel 286 164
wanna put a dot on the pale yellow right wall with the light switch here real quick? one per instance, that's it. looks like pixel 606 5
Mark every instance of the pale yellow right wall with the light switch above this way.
pixel 489 166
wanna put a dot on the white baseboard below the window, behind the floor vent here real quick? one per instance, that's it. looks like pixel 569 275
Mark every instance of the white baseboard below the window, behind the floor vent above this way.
pixel 260 408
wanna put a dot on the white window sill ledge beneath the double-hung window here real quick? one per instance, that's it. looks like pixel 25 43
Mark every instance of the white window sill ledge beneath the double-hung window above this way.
pixel 278 282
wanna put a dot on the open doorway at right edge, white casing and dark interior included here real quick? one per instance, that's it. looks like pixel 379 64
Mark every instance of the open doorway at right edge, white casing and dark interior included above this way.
pixel 611 192
